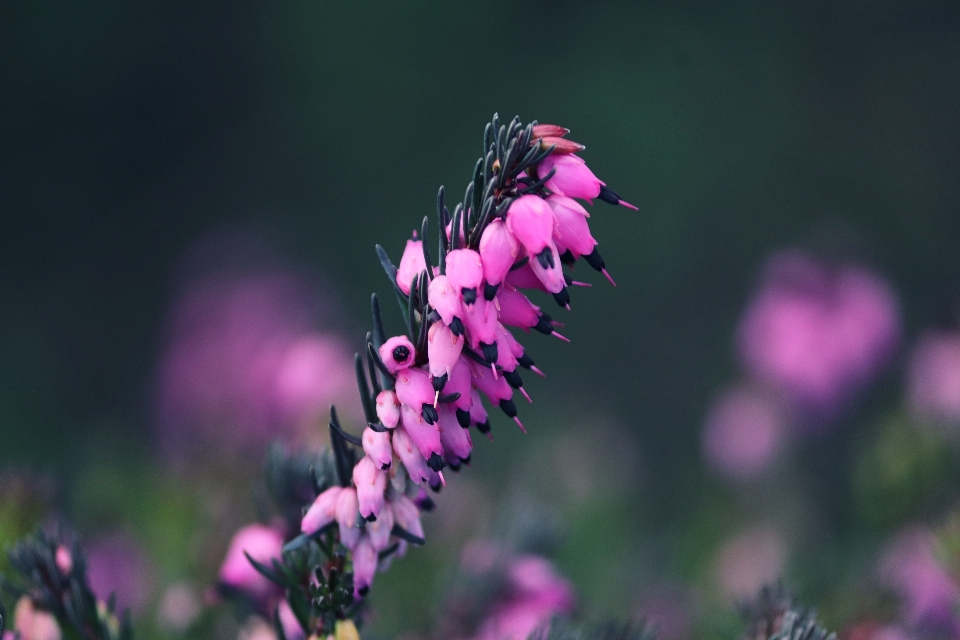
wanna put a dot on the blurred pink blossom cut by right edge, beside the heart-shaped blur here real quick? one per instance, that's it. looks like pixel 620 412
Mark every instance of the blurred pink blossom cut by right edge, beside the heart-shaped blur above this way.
pixel 934 377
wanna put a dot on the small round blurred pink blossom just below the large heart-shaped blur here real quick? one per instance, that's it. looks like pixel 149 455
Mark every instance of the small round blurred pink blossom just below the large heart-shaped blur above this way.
pixel 744 432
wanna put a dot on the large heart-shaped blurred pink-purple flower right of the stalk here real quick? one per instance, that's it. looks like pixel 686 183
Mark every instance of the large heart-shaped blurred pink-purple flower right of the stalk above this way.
pixel 818 334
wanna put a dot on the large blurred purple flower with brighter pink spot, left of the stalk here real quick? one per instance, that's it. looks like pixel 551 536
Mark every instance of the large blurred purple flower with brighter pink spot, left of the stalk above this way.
pixel 243 364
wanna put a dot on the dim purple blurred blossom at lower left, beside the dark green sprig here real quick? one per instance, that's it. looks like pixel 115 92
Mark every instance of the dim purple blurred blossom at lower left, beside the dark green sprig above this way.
pixel 117 564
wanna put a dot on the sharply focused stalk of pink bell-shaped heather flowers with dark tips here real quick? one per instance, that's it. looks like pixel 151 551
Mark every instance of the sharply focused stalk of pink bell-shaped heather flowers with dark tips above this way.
pixel 519 223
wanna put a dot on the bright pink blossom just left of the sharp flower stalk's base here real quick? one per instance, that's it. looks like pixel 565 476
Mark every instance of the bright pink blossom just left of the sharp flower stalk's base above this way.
pixel 263 544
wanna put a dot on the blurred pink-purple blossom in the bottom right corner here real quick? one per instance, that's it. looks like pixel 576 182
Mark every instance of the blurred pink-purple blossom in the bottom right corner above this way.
pixel 928 594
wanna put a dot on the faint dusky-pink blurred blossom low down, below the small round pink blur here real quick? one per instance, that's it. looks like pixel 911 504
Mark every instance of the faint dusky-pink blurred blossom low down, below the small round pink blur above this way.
pixel 752 558
